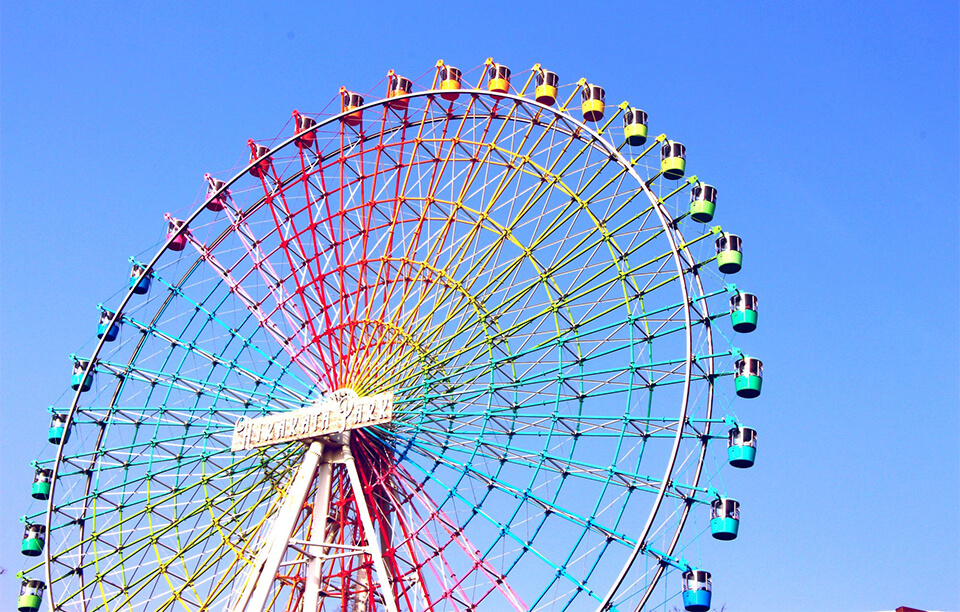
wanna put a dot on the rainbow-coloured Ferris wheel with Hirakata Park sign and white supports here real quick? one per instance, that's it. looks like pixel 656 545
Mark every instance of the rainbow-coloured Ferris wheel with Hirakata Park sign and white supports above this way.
pixel 459 342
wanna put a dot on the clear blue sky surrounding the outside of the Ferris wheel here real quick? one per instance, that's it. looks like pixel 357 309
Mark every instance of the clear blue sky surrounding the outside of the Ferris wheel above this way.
pixel 833 127
